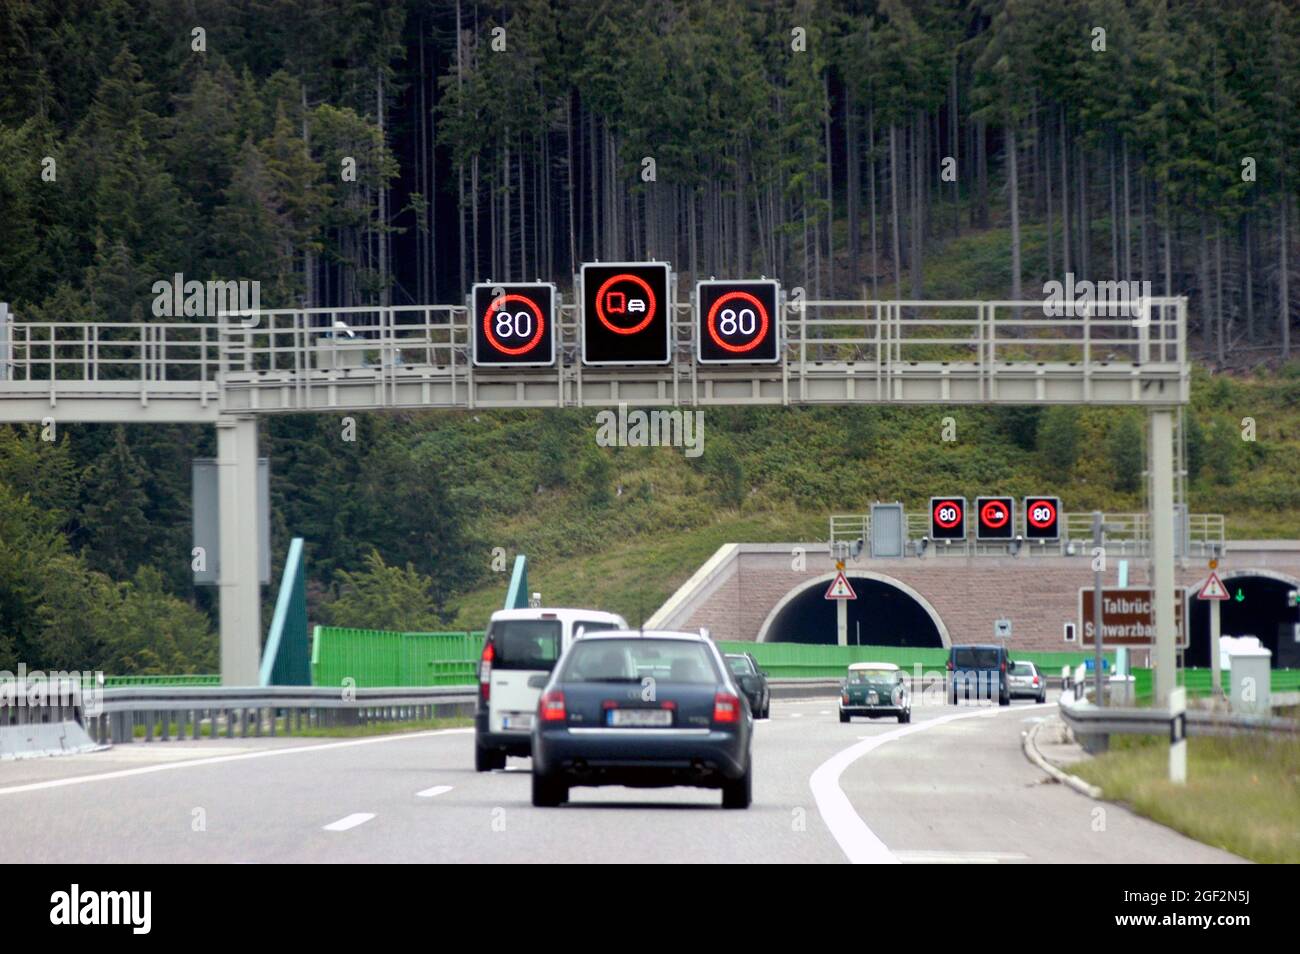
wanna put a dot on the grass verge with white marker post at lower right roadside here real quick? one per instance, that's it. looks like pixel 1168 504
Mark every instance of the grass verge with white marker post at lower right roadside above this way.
pixel 1242 795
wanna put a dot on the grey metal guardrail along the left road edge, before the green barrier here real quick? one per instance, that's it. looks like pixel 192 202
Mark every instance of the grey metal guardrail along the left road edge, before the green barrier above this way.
pixel 167 713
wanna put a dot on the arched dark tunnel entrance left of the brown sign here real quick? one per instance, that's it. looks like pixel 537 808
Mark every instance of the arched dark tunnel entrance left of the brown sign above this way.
pixel 885 614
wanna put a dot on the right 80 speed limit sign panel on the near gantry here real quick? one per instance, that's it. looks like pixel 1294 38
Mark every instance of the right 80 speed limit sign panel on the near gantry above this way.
pixel 738 323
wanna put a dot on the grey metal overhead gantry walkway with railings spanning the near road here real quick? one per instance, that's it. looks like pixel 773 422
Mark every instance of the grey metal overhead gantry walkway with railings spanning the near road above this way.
pixel 833 352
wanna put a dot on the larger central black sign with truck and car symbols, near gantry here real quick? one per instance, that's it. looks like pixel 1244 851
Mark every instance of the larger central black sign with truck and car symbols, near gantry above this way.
pixel 627 313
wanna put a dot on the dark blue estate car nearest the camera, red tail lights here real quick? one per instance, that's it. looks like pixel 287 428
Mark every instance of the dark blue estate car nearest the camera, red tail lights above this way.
pixel 647 709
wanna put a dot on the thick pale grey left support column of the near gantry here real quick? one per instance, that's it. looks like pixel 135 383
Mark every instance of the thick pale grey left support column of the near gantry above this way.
pixel 240 522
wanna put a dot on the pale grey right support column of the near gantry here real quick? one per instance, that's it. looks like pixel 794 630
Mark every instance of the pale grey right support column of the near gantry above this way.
pixel 1163 549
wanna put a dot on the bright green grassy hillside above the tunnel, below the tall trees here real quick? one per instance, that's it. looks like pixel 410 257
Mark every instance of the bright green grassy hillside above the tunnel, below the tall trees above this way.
pixel 777 474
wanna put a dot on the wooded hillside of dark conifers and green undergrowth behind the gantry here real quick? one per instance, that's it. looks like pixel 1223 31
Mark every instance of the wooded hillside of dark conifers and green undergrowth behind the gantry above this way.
pixel 889 149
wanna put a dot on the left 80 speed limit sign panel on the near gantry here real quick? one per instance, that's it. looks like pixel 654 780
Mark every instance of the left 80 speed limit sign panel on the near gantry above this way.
pixel 514 326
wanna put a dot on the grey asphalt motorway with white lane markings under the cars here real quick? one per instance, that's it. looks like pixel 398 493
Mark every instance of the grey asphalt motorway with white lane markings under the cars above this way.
pixel 954 787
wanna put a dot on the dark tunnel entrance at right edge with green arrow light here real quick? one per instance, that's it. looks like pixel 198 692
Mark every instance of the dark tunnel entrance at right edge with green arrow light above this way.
pixel 1262 612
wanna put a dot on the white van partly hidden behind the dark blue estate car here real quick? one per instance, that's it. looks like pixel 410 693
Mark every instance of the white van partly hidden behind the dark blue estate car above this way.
pixel 522 644
